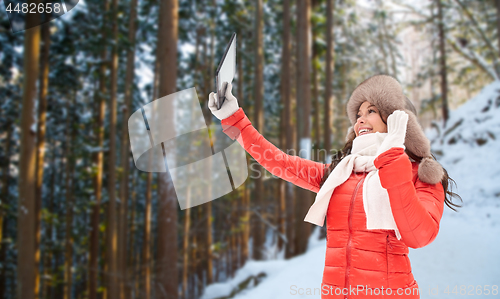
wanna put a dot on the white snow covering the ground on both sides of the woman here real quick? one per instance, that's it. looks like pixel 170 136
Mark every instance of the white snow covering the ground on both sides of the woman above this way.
pixel 464 259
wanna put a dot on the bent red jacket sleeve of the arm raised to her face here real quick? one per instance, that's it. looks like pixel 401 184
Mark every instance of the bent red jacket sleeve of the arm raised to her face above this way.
pixel 417 207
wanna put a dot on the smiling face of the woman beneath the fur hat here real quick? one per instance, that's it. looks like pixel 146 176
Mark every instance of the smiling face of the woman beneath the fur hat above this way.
pixel 369 120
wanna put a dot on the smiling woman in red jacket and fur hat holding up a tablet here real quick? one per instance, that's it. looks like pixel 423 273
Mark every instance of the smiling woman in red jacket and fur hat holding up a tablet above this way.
pixel 382 194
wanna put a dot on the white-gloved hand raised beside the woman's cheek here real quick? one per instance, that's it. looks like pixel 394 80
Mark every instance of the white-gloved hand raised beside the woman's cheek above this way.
pixel 396 131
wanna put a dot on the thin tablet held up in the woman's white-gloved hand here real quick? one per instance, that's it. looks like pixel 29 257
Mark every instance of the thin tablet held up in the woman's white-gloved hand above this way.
pixel 225 71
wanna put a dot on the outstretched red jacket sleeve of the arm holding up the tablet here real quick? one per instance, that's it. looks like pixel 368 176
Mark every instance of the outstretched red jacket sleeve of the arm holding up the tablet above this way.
pixel 304 173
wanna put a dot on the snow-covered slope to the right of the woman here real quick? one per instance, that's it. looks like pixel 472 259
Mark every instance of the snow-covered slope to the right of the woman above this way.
pixel 466 253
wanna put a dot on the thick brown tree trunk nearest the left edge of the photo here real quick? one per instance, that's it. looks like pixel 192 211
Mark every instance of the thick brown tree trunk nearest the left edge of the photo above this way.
pixel 26 221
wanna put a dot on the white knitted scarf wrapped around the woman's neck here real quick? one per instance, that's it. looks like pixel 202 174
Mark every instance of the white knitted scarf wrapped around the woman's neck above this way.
pixel 375 198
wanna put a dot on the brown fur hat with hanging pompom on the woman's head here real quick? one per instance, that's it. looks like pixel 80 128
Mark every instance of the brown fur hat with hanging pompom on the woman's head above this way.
pixel 387 95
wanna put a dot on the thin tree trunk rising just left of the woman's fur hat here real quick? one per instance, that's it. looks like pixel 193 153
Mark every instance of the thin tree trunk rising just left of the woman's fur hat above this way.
pixel 330 66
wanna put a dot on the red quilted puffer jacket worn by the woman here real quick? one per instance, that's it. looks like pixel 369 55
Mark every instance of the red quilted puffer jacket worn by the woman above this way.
pixel 359 263
